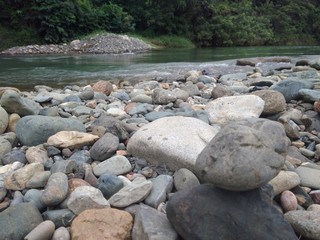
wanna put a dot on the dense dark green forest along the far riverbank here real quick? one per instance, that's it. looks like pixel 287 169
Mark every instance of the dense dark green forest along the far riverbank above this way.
pixel 207 23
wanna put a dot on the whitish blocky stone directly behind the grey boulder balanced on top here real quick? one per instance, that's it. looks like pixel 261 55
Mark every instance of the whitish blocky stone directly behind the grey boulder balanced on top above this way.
pixel 233 108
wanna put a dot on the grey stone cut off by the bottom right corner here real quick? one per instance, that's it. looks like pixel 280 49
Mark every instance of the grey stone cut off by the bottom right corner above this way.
pixel 305 223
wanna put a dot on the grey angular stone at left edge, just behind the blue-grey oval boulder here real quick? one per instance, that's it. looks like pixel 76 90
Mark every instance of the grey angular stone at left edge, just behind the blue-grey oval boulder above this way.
pixel 12 102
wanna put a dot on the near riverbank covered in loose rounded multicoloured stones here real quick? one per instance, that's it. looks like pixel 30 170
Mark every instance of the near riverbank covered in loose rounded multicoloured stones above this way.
pixel 206 155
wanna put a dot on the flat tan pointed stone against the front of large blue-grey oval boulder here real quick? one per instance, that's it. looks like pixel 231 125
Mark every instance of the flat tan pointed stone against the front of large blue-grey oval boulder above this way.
pixel 71 139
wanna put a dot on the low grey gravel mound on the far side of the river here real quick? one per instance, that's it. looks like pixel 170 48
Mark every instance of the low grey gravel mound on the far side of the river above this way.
pixel 99 44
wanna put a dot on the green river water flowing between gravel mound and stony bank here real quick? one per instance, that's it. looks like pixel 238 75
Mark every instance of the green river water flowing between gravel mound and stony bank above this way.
pixel 24 72
